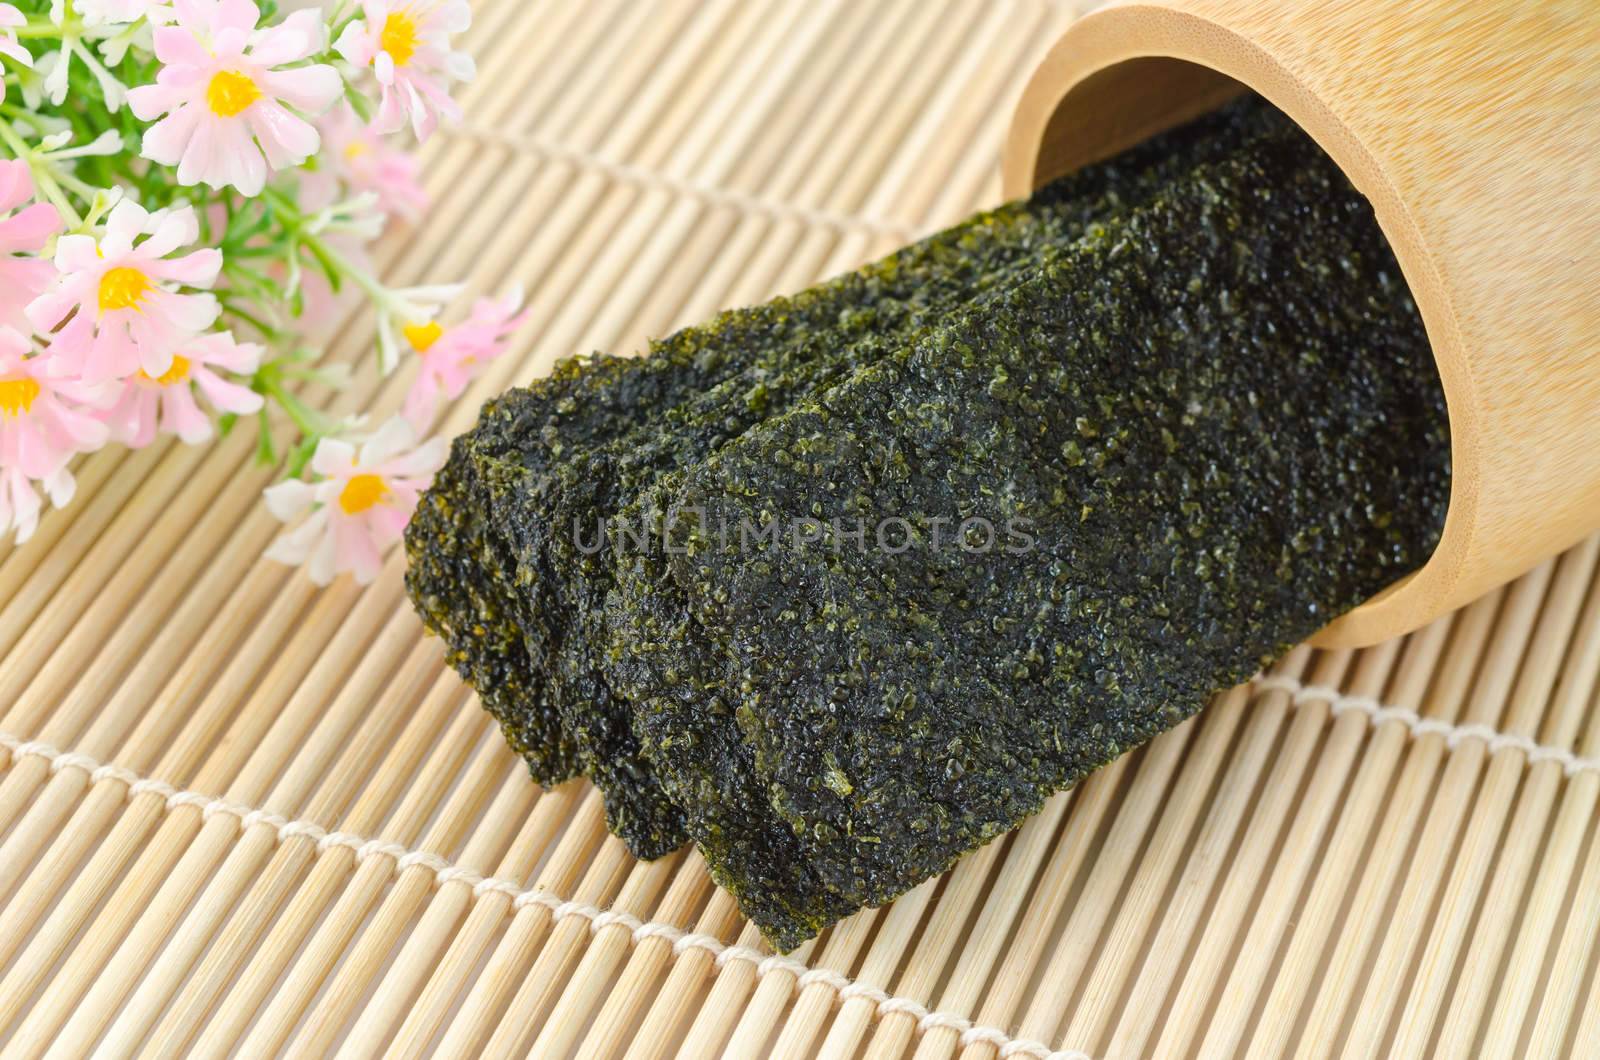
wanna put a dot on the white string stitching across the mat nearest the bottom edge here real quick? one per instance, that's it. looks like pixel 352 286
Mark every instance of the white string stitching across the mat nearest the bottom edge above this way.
pixel 522 897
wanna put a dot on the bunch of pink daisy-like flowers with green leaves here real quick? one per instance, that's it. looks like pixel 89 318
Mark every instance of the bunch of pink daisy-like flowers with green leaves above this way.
pixel 188 193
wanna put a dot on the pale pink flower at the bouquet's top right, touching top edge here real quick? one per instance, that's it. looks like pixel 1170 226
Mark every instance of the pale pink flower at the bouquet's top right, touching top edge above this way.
pixel 407 44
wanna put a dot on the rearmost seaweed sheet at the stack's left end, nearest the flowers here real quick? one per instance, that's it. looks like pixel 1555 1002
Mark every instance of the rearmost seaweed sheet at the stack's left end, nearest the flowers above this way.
pixel 463 576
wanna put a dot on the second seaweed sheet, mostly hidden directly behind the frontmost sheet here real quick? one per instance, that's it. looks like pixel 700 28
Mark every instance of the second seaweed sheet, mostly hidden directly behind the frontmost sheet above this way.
pixel 852 321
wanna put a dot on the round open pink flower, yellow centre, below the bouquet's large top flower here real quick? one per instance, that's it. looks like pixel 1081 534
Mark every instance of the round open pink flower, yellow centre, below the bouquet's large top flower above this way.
pixel 118 302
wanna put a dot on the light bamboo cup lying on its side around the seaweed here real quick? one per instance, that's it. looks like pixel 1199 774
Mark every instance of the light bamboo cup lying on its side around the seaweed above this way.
pixel 1476 132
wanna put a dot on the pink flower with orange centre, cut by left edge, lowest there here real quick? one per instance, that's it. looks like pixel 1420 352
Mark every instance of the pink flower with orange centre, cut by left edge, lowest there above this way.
pixel 41 430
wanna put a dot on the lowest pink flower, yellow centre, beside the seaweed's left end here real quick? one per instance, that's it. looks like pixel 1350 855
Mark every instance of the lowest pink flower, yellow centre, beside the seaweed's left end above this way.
pixel 359 507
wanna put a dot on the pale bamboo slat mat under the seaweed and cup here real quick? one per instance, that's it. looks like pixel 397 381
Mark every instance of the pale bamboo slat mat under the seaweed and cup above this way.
pixel 239 813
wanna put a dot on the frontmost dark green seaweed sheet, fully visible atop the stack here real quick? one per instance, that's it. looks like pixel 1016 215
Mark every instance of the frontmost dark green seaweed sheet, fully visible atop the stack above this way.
pixel 1218 425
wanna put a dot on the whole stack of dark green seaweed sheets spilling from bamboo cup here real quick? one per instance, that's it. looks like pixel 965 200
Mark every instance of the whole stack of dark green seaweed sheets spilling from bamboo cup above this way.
pixel 846 585
